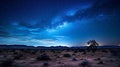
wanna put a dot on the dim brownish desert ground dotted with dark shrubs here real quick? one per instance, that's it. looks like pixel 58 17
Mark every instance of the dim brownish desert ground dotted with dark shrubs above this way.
pixel 59 58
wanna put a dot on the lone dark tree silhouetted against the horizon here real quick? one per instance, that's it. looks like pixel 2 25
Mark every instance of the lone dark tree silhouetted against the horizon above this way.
pixel 92 45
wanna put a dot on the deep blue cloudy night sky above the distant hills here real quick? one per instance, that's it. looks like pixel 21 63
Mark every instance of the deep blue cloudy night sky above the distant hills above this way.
pixel 59 22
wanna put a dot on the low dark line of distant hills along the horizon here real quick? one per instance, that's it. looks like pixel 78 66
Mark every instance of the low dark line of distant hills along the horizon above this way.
pixel 52 47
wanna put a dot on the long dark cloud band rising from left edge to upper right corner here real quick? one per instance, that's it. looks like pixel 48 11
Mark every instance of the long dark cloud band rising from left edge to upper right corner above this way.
pixel 98 8
